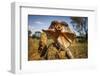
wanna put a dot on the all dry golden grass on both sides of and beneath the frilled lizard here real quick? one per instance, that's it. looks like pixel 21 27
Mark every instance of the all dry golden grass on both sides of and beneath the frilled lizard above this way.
pixel 79 50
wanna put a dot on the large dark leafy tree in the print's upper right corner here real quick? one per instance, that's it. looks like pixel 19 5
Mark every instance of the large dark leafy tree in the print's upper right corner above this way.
pixel 80 24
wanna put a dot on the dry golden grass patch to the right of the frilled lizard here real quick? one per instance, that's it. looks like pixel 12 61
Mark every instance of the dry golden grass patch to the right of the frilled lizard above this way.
pixel 79 50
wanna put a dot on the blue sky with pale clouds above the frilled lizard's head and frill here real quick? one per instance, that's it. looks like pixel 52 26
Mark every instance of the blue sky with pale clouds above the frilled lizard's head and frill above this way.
pixel 39 22
